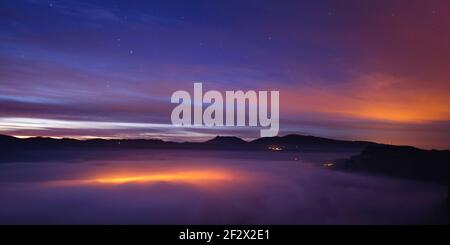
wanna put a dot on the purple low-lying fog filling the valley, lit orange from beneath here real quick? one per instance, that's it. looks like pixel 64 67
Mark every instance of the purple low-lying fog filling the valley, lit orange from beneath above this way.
pixel 209 187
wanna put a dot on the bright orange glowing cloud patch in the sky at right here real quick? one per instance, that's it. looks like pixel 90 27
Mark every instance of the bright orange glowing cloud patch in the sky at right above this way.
pixel 376 97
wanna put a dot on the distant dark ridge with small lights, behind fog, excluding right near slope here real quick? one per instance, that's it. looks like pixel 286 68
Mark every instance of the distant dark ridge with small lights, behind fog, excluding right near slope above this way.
pixel 44 148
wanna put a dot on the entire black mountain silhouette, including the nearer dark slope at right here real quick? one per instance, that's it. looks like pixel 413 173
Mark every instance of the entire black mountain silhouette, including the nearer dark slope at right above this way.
pixel 401 161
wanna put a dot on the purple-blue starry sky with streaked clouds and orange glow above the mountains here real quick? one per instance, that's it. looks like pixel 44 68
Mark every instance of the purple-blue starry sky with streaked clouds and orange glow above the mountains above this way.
pixel 354 69
